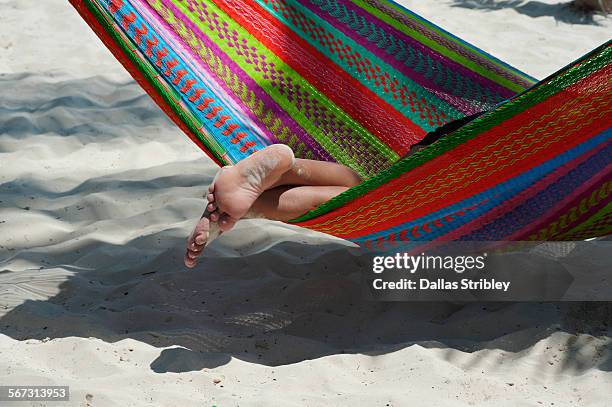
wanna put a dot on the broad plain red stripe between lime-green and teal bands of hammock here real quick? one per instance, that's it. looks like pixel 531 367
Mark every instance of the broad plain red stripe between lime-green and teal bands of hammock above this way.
pixel 277 37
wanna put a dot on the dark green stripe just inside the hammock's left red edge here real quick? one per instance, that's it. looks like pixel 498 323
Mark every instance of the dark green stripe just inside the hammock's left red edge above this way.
pixel 149 73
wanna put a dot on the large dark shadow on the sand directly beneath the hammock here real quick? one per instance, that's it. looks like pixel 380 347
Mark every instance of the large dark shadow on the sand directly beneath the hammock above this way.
pixel 282 305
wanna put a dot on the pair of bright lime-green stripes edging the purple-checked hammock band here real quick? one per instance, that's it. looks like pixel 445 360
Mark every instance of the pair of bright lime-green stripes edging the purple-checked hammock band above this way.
pixel 337 152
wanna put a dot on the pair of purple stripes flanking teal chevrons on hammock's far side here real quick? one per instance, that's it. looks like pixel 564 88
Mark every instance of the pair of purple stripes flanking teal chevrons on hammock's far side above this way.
pixel 404 69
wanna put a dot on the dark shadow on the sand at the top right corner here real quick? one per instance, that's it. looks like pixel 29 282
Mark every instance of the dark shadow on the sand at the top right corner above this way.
pixel 561 12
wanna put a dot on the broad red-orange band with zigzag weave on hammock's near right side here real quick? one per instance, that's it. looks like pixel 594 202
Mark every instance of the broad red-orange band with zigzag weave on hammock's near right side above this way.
pixel 565 140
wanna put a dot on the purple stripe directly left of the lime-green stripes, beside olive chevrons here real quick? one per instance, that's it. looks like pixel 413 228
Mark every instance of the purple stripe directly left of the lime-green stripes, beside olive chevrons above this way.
pixel 269 103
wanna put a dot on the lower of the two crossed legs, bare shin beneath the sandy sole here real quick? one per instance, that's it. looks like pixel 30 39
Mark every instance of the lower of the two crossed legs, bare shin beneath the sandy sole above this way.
pixel 286 203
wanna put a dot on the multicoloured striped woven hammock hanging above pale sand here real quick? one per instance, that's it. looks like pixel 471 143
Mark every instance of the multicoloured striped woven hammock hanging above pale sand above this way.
pixel 360 81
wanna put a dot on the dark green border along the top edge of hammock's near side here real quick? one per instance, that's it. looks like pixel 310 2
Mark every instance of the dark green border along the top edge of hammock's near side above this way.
pixel 585 66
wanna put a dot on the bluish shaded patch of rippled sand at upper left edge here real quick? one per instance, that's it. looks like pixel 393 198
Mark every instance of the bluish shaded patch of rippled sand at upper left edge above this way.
pixel 92 109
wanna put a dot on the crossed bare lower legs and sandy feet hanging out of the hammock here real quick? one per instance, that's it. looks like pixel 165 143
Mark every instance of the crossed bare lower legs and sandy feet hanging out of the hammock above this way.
pixel 237 189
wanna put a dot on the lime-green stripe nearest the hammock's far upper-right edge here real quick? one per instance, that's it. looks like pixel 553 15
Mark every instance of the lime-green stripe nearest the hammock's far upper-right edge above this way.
pixel 473 66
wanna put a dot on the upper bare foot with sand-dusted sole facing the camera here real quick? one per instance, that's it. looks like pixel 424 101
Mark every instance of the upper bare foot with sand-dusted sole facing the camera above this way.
pixel 238 186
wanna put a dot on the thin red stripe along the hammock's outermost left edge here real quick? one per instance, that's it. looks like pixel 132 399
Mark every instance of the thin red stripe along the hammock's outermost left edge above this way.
pixel 118 52
